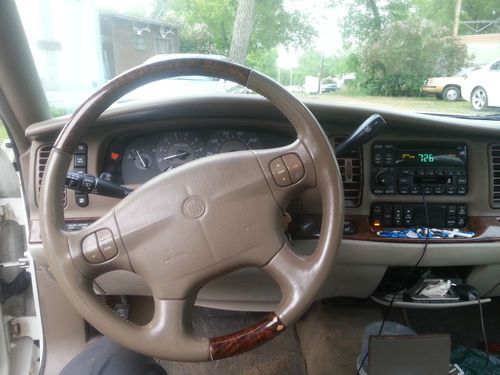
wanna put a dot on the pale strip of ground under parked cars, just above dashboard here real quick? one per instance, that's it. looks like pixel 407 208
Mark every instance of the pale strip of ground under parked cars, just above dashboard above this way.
pixel 415 104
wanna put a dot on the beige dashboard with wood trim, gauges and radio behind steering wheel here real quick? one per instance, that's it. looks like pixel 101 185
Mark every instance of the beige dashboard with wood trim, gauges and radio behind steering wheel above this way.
pixel 452 164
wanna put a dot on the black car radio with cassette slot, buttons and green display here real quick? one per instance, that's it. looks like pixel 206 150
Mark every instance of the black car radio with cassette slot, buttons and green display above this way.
pixel 403 168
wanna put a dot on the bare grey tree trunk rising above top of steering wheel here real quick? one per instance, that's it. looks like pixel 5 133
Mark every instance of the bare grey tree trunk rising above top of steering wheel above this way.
pixel 242 30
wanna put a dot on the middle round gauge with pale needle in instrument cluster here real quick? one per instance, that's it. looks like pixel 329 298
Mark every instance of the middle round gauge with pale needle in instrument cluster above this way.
pixel 177 148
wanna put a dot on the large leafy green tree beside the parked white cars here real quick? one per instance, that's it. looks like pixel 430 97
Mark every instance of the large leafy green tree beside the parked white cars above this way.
pixel 400 43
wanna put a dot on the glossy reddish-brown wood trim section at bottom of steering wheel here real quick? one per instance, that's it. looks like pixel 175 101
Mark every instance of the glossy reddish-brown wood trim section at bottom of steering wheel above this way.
pixel 246 339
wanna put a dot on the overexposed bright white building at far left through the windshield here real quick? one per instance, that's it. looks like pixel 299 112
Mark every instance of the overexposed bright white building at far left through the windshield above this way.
pixel 58 31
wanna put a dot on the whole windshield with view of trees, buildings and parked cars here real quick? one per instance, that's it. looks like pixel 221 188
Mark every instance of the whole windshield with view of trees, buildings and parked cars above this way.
pixel 412 55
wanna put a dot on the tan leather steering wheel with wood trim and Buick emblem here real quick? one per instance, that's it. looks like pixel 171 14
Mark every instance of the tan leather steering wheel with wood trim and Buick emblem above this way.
pixel 199 221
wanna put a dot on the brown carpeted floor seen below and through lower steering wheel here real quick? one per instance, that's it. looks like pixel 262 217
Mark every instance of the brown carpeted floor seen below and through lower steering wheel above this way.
pixel 280 356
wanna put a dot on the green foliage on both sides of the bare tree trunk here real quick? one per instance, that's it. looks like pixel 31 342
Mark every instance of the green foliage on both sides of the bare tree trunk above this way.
pixel 206 27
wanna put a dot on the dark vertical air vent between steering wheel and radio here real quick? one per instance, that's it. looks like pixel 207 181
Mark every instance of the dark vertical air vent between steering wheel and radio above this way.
pixel 352 173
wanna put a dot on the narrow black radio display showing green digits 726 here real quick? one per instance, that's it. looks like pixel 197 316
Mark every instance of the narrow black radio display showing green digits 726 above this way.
pixel 446 156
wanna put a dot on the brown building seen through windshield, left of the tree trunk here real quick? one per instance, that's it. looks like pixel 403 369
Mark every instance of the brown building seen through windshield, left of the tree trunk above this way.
pixel 129 41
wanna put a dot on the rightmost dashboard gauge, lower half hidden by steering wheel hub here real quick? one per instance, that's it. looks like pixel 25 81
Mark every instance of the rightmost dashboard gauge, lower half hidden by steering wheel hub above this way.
pixel 232 140
